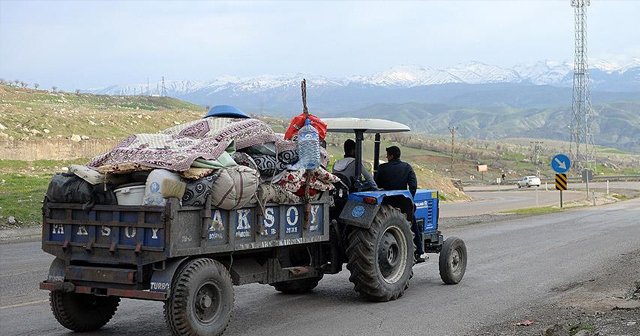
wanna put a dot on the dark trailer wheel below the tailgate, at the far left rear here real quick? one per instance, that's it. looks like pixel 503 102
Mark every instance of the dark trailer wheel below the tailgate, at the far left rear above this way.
pixel 82 312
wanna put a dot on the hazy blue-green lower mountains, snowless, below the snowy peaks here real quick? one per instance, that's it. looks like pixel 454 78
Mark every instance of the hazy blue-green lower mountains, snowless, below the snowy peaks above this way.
pixel 616 124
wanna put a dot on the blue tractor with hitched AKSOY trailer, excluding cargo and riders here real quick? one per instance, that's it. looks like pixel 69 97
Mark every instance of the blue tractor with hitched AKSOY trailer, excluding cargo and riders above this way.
pixel 192 257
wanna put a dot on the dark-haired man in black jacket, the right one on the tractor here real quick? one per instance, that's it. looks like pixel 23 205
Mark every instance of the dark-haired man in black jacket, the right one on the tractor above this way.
pixel 398 175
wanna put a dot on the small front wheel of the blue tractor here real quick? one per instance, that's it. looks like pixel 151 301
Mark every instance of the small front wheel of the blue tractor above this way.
pixel 453 260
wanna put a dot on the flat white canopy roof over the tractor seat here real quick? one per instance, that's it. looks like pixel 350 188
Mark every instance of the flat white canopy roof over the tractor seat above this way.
pixel 349 125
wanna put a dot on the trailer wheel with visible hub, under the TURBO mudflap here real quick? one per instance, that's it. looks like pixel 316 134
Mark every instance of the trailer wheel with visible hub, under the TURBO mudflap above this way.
pixel 201 301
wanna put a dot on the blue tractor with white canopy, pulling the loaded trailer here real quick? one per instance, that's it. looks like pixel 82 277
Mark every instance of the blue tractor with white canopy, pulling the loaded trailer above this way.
pixel 374 226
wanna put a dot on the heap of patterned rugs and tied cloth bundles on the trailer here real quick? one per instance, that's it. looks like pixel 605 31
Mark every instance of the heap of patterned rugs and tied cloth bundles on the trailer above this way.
pixel 236 161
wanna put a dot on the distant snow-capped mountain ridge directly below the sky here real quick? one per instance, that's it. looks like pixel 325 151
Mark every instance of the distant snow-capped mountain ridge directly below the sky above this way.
pixel 403 76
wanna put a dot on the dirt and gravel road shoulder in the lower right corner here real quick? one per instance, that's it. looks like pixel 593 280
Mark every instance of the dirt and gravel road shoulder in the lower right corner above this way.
pixel 607 303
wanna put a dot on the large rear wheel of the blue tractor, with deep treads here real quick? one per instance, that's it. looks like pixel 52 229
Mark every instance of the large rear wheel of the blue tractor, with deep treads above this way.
pixel 381 258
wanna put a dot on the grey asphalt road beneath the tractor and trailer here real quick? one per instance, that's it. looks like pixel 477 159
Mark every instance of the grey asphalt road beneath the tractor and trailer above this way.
pixel 512 265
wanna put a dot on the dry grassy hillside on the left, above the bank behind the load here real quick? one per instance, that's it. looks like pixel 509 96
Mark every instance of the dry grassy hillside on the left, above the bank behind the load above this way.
pixel 37 114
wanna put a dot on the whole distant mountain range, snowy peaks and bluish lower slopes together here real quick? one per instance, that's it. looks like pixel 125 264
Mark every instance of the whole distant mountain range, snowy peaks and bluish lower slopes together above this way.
pixel 486 101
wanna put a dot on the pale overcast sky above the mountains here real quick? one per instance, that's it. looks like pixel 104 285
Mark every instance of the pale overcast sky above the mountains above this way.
pixel 88 44
